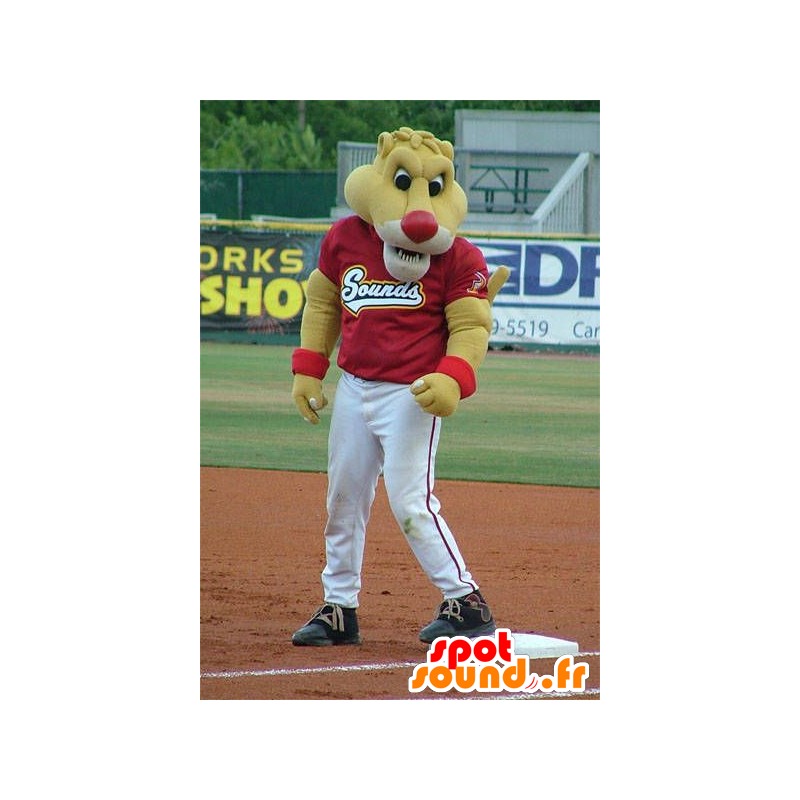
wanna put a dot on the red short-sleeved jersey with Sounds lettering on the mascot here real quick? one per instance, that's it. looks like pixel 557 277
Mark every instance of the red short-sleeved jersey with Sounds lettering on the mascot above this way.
pixel 393 330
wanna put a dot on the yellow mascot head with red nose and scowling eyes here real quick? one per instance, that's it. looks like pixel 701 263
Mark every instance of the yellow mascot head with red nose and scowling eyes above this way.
pixel 409 194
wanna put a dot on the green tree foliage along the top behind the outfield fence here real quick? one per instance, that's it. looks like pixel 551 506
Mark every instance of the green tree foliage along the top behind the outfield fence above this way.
pixel 267 134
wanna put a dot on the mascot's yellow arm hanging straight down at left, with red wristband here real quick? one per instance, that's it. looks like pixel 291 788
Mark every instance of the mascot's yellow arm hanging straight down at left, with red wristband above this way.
pixel 319 332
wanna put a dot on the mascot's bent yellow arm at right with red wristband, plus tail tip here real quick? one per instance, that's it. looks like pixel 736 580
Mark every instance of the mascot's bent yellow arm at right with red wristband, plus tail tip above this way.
pixel 469 323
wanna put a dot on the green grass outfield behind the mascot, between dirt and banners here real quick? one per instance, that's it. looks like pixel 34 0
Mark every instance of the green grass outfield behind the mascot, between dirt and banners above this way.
pixel 532 420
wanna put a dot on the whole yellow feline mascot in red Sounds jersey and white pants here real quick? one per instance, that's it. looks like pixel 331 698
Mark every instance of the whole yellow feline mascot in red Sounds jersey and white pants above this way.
pixel 411 301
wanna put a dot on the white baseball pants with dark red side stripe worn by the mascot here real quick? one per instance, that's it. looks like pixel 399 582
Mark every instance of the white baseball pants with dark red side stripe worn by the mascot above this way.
pixel 378 426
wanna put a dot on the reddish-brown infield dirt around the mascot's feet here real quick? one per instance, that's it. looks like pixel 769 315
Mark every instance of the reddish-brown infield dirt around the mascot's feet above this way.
pixel 535 550
